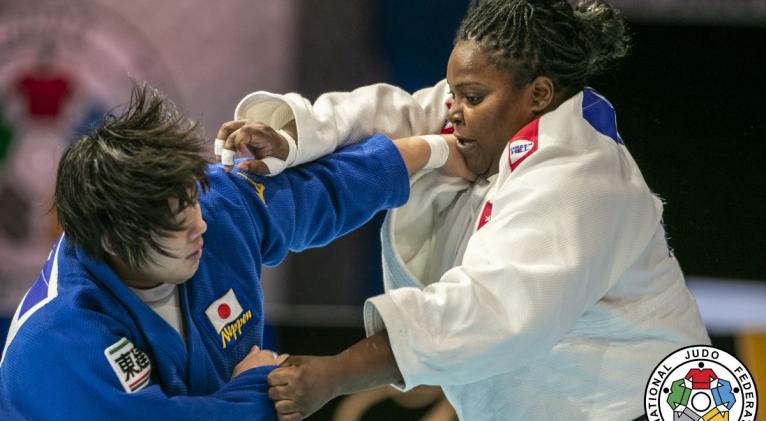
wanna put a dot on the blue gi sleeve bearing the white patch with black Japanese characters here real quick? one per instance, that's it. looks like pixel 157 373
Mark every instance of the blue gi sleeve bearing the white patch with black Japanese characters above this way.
pixel 69 373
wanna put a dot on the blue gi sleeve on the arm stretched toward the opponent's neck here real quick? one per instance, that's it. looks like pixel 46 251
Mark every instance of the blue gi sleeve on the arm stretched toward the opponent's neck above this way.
pixel 311 205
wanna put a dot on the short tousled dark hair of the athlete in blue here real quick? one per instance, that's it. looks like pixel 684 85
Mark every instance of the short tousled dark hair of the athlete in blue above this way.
pixel 115 183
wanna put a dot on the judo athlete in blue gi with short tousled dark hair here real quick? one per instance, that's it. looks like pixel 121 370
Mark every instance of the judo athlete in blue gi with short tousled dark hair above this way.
pixel 150 303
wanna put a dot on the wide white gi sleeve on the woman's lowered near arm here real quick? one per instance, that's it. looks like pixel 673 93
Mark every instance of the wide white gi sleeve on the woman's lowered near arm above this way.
pixel 564 226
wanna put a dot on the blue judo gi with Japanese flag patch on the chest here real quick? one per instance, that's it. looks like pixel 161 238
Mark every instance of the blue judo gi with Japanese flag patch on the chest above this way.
pixel 82 345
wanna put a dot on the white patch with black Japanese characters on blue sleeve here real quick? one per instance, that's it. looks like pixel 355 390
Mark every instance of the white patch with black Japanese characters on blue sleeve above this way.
pixel 130 364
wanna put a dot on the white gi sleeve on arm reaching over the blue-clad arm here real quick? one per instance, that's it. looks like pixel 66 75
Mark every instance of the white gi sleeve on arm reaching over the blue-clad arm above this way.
pixel 341 118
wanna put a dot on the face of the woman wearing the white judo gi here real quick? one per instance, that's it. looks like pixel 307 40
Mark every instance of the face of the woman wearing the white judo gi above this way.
pixel 487 109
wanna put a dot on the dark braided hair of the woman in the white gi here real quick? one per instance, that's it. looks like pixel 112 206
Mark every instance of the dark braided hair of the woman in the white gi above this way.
pixel 547 38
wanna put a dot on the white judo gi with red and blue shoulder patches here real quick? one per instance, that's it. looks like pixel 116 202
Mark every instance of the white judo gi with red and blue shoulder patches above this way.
pixel 547 292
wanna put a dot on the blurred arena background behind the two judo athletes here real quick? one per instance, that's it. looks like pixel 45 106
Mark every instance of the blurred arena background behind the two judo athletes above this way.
pixel 688 100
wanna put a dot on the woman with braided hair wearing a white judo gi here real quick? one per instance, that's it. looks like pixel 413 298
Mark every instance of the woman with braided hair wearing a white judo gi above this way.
pixel 545 290
